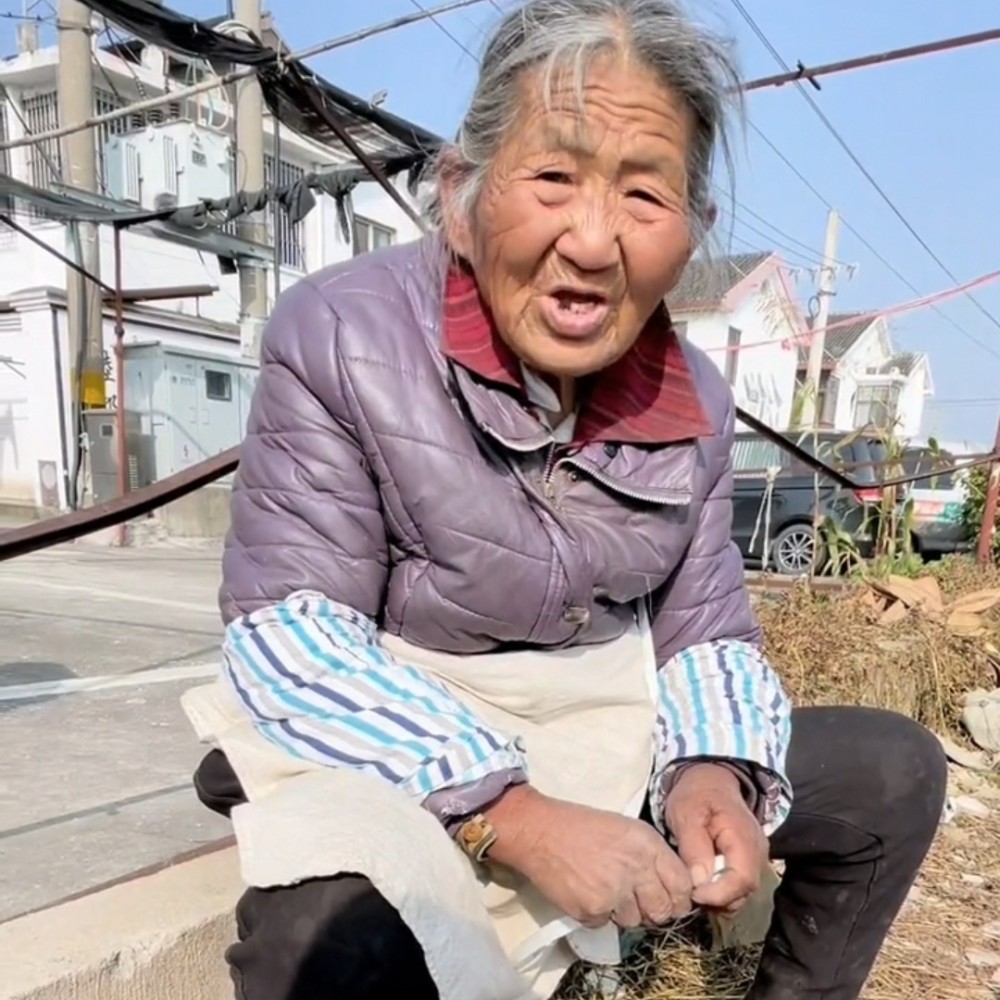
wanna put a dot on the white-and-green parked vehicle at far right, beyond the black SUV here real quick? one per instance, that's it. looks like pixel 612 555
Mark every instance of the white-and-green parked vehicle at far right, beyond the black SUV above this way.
pixel 936 503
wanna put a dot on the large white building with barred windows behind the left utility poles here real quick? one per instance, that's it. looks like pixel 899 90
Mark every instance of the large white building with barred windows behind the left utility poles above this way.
pixel 180 150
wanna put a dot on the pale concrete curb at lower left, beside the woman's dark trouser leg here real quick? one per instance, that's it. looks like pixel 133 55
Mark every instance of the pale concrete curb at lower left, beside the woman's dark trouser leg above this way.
pixel 160 936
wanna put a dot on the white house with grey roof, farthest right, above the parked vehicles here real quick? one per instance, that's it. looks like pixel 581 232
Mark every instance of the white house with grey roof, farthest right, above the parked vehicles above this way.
pixel 866 382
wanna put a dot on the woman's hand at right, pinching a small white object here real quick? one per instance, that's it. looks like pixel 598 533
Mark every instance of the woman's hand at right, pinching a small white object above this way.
pixel 707 814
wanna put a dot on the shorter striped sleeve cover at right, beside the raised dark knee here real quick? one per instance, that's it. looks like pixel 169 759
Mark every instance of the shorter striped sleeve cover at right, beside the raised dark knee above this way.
pixel 722 700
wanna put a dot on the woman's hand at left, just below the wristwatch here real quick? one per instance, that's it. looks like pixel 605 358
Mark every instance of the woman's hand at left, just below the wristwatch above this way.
pixel 596 866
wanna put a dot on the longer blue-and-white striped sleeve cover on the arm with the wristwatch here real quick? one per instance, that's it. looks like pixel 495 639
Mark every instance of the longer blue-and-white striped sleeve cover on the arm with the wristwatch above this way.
pixel 316 683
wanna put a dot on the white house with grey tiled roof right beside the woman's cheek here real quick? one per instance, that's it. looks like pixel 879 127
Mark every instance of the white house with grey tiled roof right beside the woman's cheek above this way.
pixel 740 309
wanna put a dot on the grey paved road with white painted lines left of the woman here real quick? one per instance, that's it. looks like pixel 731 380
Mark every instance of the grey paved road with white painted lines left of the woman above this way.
pixel 95 754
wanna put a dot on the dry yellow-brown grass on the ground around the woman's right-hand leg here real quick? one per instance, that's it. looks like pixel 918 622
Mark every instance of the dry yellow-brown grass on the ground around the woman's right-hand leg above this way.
pixel 830 650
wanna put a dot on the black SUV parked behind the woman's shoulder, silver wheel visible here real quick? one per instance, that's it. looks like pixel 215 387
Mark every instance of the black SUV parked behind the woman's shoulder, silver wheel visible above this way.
pixel 791 497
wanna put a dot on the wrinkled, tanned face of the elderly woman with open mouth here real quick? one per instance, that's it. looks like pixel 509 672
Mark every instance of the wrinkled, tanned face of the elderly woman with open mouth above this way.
pixel 582 225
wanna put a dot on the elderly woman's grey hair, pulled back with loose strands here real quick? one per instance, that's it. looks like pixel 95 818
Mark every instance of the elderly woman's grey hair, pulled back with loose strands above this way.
pixel 556 36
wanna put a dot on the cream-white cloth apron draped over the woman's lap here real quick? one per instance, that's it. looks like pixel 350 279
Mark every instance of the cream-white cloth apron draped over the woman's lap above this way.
pixel 586 718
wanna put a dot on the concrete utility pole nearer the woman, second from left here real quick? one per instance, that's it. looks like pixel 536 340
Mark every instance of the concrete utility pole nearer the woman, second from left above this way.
pixel 250 176
